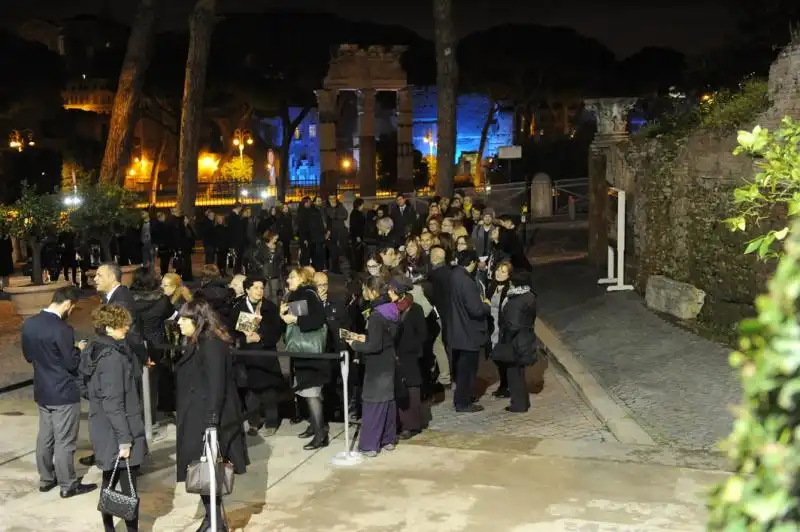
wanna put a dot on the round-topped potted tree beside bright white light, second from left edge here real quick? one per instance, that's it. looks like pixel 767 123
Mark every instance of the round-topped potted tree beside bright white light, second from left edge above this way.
pixel 99 212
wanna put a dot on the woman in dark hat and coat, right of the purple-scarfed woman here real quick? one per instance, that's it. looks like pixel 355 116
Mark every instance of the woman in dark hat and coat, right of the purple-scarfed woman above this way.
pixel 410 346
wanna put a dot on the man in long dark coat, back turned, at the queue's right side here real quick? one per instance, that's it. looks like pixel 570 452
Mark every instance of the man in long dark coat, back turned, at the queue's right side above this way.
pixel 466 329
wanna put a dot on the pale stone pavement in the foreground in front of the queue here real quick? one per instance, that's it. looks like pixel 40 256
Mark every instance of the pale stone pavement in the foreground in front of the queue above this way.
pixel 443 482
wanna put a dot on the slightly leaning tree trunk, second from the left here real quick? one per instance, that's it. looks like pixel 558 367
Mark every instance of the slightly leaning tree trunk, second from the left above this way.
pixel 201 26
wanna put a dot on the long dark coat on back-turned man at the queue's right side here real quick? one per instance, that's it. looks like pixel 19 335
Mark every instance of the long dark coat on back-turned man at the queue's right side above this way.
pixel 467 314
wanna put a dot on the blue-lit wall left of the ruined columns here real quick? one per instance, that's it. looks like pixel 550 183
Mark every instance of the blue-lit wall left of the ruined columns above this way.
pixel 304 158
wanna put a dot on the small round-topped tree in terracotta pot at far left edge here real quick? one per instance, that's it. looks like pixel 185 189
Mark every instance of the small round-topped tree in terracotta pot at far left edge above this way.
pixel 34 219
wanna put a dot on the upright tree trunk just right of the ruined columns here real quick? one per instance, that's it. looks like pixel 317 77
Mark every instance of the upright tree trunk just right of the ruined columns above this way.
pixel 446 82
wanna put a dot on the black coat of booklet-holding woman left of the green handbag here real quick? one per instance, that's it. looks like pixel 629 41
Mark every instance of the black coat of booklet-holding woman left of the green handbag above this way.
pixel 263 372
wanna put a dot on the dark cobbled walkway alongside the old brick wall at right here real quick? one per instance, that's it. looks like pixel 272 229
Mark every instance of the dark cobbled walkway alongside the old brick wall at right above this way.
pixel 676 385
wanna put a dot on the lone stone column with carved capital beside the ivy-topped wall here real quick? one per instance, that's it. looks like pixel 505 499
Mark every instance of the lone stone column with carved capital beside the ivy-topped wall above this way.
pixel 612 127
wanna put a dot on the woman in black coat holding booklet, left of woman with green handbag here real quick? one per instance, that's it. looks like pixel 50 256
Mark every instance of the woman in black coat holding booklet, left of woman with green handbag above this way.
pixel 261 376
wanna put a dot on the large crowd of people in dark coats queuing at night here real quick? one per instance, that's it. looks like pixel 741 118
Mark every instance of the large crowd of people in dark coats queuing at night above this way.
pixel 428 293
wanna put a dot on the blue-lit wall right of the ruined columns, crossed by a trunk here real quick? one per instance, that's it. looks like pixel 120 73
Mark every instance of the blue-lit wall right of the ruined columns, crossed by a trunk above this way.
pixel 470 116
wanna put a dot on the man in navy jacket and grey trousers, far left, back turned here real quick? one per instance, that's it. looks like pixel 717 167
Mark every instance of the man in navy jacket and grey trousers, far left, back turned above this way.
pixel 48 343
